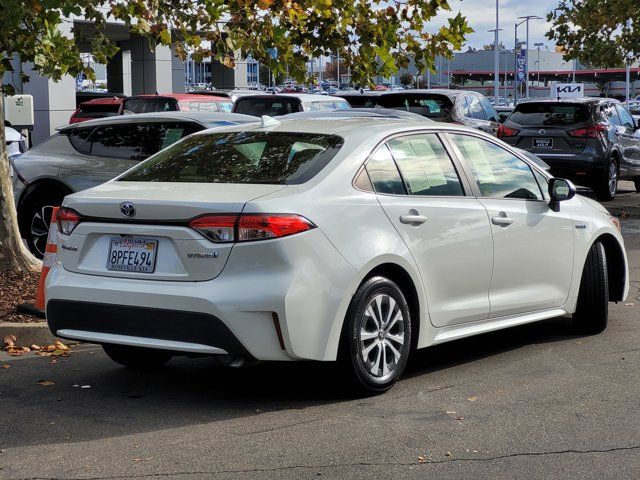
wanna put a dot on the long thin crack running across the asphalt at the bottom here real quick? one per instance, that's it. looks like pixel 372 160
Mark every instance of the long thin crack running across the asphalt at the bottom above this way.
pixel 350 464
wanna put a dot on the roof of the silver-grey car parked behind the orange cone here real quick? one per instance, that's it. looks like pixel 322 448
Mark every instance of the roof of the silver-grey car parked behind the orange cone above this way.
pixel 203 118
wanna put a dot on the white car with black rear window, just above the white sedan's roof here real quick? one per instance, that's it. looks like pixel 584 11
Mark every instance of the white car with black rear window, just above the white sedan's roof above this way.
pixel 284 103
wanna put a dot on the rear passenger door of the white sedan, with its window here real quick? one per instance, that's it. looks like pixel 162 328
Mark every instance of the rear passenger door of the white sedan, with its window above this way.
pixel 446 231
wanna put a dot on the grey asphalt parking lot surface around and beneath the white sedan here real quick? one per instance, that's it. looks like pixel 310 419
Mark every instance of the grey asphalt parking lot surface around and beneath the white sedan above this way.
pixel 532 402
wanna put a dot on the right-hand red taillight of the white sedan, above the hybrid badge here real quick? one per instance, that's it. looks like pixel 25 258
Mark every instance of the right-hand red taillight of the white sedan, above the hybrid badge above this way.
pixel 249 227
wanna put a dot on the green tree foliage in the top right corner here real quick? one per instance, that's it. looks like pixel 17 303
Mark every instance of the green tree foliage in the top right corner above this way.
pixel 597 32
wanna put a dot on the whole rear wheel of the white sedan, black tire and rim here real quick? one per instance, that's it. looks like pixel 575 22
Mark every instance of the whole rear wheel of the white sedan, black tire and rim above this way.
pixel 390 339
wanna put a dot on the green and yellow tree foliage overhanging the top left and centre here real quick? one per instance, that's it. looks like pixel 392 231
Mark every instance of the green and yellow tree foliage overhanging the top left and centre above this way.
pixel 361 30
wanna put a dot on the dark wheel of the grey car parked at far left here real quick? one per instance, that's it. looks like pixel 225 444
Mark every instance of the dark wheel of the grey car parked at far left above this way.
pixel 35 216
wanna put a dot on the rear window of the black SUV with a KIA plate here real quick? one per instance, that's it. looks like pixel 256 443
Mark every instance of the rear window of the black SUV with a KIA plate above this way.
pixel 539 114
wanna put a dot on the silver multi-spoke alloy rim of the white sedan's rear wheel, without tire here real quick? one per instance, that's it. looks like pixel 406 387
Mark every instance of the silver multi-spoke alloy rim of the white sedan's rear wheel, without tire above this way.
pixel 382 335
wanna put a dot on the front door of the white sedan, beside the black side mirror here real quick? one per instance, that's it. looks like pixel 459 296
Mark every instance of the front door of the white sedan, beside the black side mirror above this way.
pixel 532 244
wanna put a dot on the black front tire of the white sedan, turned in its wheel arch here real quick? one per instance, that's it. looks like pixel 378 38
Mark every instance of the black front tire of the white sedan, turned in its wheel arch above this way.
pixel 592 310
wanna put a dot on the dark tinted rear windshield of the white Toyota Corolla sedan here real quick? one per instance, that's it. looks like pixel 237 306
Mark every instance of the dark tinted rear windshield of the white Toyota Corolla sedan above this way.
pixel 240 157
